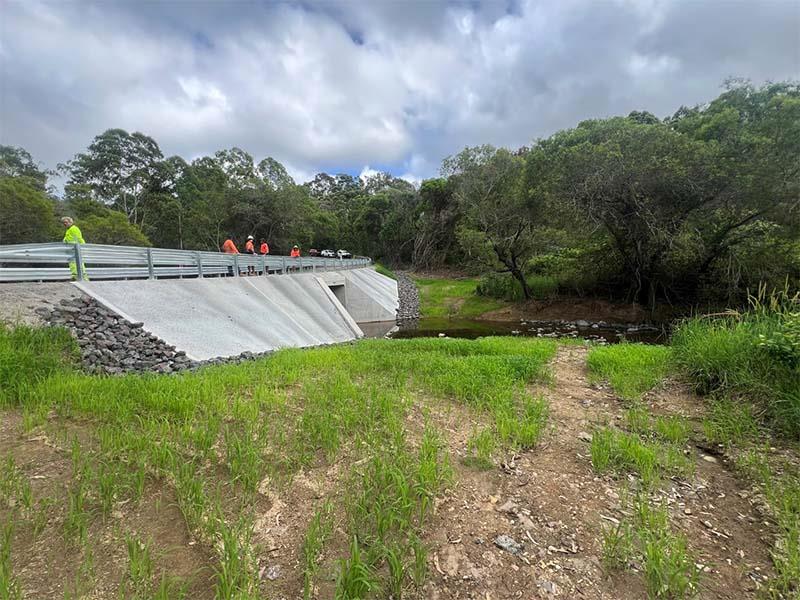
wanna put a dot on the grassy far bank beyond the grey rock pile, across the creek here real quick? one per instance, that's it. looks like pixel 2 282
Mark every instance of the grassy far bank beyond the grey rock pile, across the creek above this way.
pixel 455 298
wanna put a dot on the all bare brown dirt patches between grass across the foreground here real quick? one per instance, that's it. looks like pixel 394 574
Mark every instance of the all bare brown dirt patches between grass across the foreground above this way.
pixel 548 500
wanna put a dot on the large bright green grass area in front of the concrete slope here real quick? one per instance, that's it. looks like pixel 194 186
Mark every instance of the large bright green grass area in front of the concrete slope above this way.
pixel 217 437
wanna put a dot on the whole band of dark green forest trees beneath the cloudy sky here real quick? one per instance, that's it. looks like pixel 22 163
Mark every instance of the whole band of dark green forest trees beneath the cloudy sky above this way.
pixel 694 209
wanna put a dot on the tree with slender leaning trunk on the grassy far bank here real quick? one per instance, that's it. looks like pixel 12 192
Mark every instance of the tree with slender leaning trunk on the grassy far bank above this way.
pixel 496 229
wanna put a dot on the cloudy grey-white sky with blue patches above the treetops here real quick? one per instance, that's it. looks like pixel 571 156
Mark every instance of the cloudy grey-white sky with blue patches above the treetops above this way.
pixel 356 87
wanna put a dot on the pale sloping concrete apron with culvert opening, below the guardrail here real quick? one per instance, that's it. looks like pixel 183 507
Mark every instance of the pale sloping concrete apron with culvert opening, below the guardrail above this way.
pixel 208 318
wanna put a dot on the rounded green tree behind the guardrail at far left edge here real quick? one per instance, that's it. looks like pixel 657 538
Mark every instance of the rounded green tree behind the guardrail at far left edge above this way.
pixel 27 213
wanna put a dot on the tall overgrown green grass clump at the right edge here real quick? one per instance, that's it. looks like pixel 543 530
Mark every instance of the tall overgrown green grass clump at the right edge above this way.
pixel 752 355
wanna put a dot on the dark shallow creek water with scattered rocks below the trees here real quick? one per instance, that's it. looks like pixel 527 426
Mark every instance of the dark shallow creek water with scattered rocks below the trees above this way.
pixel 471 329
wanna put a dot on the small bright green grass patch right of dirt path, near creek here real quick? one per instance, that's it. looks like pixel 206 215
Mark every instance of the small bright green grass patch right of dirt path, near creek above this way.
pixel 631 369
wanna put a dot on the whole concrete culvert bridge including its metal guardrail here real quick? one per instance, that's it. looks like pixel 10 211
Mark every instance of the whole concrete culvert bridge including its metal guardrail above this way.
pixel 210 304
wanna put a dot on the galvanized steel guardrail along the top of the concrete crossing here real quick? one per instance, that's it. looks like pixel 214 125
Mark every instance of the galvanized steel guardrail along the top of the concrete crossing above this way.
pixel 59 262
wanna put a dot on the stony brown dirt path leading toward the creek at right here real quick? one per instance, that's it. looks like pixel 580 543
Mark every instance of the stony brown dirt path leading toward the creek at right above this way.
pixel 552 503
